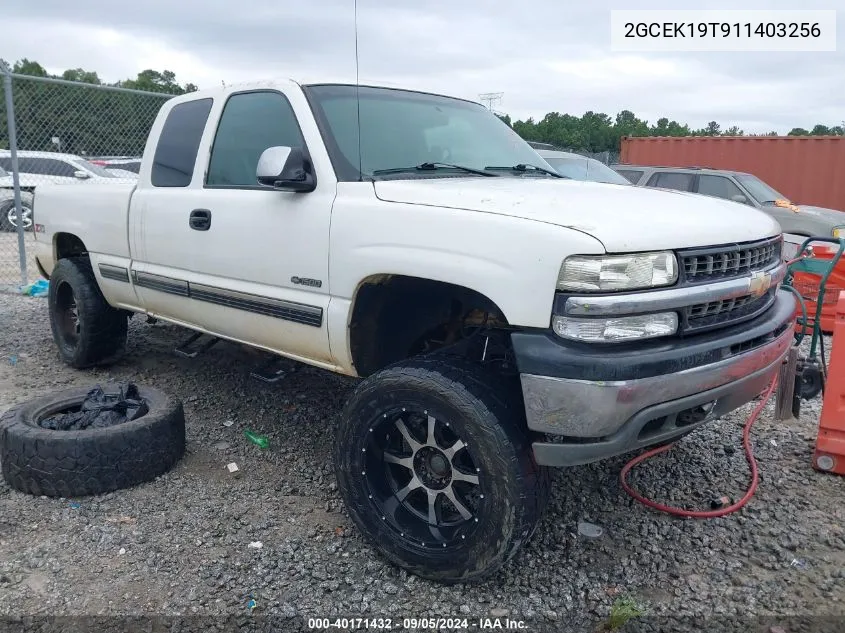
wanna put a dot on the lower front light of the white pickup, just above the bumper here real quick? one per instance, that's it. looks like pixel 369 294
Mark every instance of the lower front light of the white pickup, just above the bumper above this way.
pixel 631 328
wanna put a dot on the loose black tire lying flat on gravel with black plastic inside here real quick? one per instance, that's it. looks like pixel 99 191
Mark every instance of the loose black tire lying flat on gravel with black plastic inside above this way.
pixel 93 461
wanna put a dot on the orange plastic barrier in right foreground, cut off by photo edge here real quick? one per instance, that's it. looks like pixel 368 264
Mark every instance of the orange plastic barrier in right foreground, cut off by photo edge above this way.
pixel 829 455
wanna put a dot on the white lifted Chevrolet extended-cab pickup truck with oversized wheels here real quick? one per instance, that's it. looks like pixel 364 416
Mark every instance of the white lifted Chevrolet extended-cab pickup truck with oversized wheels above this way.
pixel 503 320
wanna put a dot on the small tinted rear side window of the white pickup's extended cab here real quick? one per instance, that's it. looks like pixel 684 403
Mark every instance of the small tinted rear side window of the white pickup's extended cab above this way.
pixel 178 143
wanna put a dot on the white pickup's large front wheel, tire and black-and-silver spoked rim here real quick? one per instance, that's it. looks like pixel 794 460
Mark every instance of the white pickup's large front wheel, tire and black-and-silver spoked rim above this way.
pixel 435 466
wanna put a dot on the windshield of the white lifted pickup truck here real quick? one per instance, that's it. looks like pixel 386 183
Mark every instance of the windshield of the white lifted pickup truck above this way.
pixel 401 129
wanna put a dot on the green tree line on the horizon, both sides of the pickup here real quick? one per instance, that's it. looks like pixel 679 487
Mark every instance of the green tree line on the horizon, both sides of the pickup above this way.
pixel 90 122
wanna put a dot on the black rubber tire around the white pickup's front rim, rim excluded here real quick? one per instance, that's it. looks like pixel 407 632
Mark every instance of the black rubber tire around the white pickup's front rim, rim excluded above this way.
pixel 494 403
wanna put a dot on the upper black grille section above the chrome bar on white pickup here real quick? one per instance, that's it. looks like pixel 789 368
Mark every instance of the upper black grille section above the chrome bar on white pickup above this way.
pixel 730 261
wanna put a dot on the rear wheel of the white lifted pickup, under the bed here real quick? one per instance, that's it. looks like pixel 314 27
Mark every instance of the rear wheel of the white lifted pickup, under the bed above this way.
pixel 86 329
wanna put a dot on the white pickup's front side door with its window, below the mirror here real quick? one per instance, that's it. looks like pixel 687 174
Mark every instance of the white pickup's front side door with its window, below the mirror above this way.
pixel 260 256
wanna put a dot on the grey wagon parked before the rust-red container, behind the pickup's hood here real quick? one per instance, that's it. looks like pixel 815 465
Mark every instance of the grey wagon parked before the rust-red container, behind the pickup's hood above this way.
pixel 795 219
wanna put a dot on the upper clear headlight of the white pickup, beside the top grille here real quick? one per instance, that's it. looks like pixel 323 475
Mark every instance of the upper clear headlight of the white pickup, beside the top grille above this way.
pixel 618 272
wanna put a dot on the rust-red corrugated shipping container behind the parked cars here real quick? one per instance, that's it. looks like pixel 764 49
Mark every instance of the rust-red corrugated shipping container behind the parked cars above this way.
pixel 806 169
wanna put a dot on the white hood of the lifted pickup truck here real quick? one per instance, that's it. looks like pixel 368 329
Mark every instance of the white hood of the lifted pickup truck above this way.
pixel 622 217
